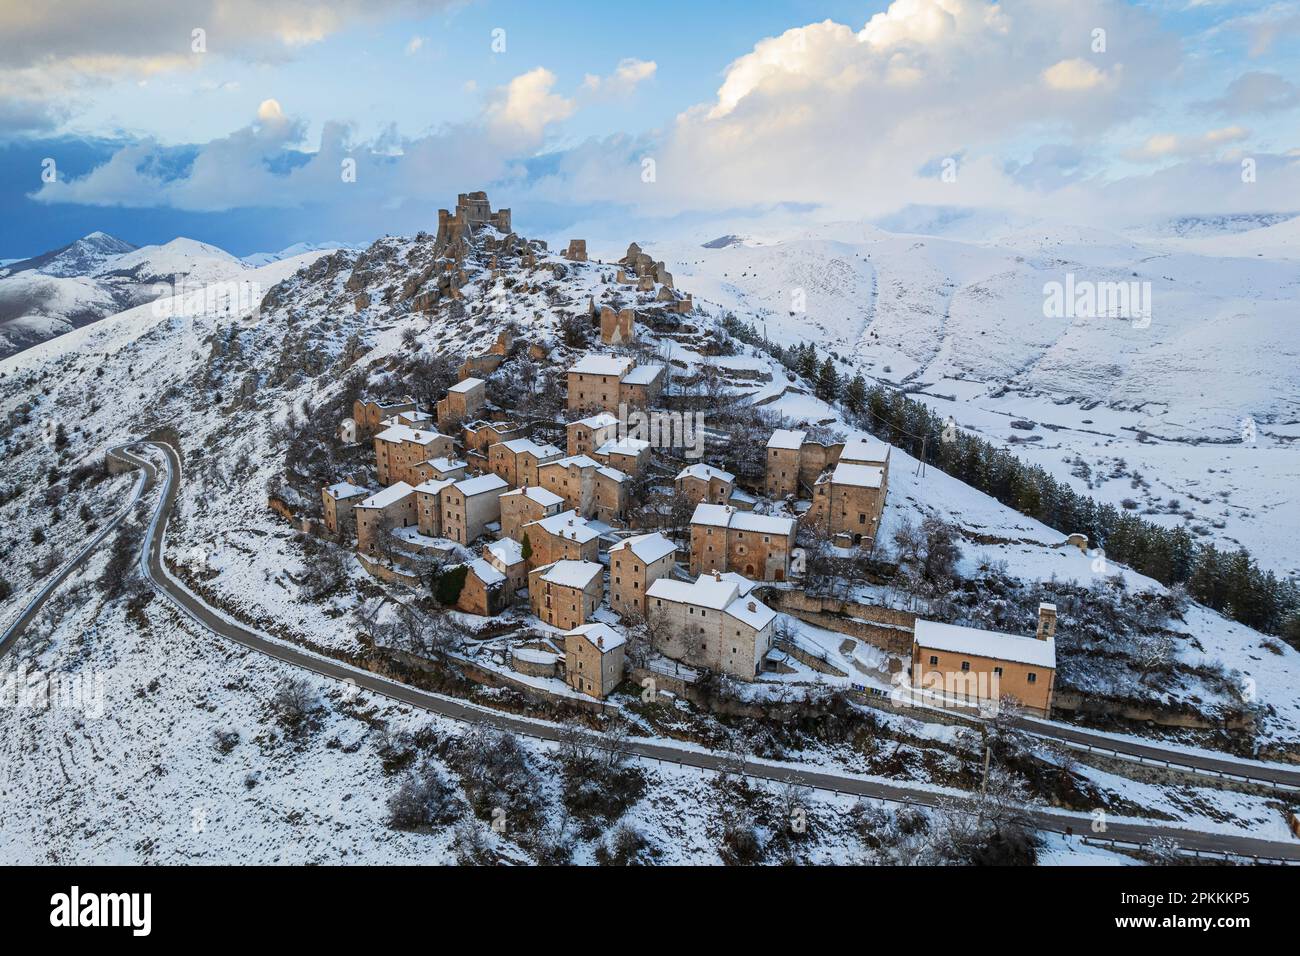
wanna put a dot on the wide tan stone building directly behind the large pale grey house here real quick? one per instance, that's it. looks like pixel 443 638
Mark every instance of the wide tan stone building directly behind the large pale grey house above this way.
pixel 759 547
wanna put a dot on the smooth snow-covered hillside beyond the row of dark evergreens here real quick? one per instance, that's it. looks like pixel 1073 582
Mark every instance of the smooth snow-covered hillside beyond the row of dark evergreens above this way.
pixel 960 322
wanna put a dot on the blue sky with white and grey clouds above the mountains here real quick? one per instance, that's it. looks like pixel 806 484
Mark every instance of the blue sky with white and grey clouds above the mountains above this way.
pixel 749 111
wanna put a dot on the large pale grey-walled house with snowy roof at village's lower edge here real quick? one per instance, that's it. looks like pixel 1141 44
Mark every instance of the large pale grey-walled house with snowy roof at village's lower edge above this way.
pixel 709 624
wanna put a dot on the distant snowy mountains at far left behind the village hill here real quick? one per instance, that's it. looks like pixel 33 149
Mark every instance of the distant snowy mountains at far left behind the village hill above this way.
pixel 98 276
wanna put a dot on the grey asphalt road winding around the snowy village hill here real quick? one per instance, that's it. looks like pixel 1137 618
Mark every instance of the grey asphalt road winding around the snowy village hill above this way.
pixel 1126 832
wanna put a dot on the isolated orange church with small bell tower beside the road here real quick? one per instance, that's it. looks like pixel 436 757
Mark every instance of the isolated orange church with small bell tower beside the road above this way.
pixel 969 665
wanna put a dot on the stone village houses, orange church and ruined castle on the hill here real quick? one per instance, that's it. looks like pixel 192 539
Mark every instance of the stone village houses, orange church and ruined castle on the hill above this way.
pixel 551 526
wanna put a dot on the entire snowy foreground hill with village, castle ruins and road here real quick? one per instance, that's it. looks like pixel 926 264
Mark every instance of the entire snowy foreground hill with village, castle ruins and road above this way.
pixel 465 550
